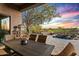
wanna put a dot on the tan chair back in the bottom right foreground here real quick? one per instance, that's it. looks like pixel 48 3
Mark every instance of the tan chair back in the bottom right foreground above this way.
pixel 67 51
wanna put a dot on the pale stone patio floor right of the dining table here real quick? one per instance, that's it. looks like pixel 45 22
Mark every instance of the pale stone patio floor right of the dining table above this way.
pixel 61 43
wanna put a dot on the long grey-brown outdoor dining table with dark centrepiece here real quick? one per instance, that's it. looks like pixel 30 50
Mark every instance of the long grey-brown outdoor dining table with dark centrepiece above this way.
pixel 32 48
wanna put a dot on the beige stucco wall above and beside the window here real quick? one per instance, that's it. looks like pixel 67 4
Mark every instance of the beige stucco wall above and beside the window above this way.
pixel 15 15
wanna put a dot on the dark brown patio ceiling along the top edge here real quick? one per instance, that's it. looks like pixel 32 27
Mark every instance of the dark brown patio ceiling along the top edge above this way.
pixel 22 6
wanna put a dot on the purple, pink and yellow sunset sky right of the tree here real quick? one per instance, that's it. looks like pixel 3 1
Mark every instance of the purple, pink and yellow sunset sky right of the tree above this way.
pixel 69 13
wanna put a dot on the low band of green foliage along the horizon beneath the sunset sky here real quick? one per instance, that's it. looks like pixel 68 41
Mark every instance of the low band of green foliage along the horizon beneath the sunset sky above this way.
pixel 68 31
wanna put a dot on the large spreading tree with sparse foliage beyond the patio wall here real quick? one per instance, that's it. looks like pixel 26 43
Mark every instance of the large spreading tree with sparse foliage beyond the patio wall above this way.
pixel 39 15
